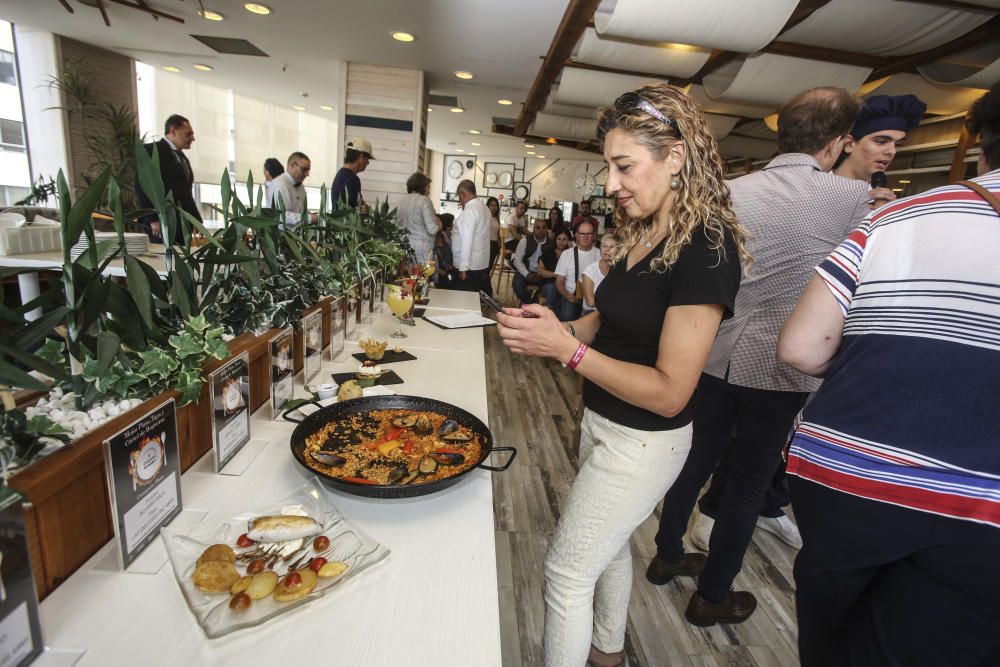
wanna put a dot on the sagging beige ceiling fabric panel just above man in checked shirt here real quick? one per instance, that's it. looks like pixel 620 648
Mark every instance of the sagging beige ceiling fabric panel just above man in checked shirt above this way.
pixel 769 79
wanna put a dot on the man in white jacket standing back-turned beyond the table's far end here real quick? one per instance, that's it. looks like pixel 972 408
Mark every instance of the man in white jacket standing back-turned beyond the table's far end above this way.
pixel 470 240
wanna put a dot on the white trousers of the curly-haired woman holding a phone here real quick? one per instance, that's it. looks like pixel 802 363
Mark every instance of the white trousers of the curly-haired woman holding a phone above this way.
pixel 623 473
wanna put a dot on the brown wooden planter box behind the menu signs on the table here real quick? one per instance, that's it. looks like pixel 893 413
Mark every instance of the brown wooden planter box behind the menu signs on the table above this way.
pixel 69 516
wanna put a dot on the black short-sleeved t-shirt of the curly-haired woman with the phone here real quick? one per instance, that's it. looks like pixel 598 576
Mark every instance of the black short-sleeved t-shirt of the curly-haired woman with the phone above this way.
pixel 633 304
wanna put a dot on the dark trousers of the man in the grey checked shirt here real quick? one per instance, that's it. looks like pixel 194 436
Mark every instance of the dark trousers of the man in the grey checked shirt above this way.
pixel 764 419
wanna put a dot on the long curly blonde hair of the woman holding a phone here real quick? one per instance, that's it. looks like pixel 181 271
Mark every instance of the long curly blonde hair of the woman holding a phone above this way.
pixel 703 201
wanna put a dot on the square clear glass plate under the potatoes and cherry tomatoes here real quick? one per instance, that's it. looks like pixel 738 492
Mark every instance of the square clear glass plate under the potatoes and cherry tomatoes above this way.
pixel 347 544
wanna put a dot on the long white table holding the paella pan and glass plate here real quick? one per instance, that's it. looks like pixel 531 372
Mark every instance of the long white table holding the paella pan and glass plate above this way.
pixel 433 601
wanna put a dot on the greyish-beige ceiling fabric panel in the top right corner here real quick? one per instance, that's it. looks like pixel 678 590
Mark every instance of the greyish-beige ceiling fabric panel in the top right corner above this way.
pixel 883 27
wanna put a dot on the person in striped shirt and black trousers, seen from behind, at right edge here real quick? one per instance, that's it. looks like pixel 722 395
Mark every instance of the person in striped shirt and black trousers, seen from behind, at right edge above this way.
pixel 897 459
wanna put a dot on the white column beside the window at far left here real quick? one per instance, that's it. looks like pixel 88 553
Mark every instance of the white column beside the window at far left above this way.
pixel 38 59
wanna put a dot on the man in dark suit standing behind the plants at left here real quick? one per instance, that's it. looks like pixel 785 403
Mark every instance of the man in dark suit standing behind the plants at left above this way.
pixel 175 170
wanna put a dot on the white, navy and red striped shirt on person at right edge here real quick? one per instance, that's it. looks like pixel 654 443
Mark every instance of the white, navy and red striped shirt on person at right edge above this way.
pixel 909 412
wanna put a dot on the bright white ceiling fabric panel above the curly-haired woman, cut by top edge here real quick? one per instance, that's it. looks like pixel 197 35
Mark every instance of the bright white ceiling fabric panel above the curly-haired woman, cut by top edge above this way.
pixel 744 26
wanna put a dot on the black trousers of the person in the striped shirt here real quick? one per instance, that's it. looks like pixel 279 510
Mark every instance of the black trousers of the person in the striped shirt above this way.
pixel 878 584
